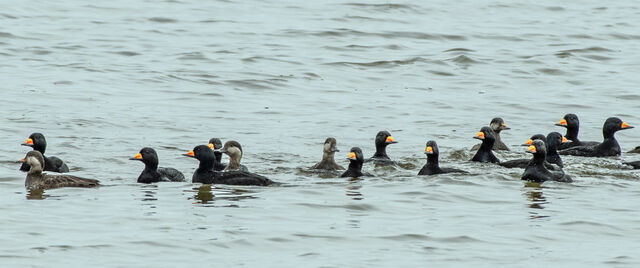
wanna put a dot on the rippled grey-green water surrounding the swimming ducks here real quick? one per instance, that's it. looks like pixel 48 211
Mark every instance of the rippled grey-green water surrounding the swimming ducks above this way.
pixel 102 80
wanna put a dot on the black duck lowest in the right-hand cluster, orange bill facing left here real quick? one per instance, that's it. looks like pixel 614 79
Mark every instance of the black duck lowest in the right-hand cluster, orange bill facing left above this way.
pixel 536 170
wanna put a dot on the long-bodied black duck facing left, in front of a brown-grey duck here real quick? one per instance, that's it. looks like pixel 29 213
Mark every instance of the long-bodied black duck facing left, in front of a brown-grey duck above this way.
pixel 205 173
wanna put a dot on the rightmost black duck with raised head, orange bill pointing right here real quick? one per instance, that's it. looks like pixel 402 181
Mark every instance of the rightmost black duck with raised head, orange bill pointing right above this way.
pixel 608 147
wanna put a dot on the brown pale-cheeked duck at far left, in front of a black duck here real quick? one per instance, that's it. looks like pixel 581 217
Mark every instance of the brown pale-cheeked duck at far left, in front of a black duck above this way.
pixel 36 179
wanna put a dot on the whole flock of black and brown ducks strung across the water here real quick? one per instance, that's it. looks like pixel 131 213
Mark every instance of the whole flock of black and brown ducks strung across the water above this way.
pixel 545 165
